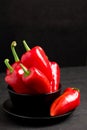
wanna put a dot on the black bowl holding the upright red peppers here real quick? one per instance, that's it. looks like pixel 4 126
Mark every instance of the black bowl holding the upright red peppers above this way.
pixel 33 105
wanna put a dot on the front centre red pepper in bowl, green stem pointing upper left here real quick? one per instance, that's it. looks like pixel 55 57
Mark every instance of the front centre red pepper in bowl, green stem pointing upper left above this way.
pixel 35 80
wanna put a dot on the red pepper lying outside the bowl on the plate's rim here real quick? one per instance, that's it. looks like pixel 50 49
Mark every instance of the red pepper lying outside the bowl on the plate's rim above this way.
pixel 68 101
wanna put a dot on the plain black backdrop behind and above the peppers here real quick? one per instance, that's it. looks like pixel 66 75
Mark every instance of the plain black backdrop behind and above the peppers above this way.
pixel 59 26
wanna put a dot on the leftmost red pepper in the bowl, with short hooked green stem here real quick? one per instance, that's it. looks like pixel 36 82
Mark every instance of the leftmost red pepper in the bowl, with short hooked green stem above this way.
pixel 14 78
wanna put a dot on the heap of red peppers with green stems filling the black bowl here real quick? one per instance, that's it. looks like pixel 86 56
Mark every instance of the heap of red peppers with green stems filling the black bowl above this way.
pixel 44 74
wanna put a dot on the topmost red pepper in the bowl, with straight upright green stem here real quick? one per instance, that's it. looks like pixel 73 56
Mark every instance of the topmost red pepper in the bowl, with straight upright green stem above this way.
pixel 36 57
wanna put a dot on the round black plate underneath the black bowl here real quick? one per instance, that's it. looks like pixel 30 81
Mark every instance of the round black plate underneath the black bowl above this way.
pixel 32 120
